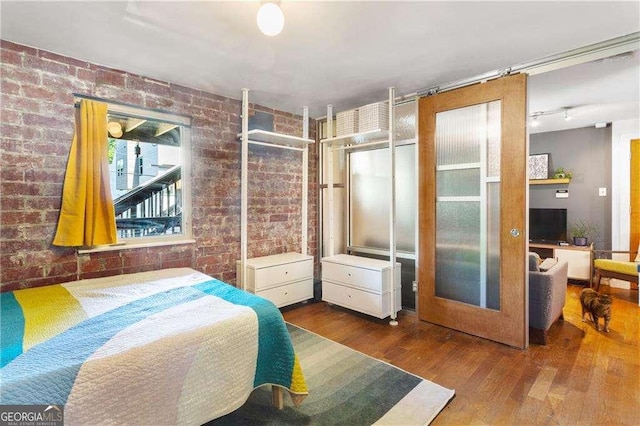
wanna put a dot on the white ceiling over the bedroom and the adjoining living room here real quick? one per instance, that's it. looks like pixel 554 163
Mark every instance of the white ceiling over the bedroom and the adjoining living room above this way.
pixel 345 53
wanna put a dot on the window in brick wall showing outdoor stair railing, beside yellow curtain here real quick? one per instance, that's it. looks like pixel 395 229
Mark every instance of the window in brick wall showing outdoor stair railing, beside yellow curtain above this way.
pixel 148 152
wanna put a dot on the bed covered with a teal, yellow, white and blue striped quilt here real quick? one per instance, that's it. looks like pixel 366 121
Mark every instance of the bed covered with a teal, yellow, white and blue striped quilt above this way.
pixel 173 346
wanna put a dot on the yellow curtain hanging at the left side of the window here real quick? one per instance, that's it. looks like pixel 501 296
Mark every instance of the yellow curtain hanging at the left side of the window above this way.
pixel 87 217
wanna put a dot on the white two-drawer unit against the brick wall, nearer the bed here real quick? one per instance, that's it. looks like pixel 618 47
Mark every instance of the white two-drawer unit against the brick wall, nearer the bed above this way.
pixel 284 279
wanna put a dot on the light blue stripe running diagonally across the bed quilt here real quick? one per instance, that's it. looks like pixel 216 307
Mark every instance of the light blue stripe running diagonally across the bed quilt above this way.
pixel 46 373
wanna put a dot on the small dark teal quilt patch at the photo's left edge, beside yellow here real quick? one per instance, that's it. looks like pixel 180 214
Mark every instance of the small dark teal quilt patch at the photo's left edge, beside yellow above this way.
pixel 11 328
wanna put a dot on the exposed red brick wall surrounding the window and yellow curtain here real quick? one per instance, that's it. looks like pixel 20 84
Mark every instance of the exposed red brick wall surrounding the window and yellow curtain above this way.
pixel 37 121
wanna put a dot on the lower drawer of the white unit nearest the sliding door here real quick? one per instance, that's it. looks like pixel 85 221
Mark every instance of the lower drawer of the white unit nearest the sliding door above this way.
pixel 359 300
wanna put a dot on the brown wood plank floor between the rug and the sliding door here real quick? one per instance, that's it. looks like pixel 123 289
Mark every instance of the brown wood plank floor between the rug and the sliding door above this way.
pixel 581 377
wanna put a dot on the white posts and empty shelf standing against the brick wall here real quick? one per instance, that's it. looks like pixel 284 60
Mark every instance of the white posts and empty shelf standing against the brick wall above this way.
pixel 279 141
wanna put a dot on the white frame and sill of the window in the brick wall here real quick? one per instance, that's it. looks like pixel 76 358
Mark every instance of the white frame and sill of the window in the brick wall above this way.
pixel 184 122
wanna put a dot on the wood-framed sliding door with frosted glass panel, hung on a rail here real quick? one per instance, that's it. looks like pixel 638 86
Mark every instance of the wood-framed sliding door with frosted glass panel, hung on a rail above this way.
pixel 472 210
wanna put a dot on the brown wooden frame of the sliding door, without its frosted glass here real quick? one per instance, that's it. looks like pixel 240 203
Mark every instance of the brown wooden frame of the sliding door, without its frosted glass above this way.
pixel 510 324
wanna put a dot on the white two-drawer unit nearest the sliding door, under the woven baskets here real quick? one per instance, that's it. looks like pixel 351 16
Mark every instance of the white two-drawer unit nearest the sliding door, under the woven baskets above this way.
pixel 361 284
